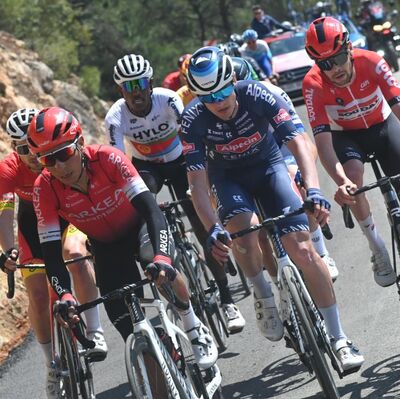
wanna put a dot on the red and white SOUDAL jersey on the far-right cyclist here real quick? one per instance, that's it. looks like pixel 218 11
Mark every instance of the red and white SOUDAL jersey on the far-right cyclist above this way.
pixel 365 102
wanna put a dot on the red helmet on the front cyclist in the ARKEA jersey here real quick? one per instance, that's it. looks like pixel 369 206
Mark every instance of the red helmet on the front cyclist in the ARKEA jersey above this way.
pixel 52 127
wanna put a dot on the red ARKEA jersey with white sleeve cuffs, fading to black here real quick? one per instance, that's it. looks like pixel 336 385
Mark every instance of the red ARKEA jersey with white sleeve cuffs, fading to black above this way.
pixel 105 212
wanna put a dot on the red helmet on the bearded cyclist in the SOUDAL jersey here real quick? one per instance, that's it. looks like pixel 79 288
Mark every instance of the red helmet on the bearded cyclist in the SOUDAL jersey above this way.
pixel 325 37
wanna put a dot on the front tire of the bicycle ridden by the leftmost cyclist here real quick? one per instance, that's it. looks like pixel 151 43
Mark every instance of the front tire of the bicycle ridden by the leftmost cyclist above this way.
pixel 69 364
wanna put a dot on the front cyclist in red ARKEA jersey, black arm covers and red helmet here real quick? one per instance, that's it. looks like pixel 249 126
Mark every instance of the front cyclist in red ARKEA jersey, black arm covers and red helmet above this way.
pixel 99 190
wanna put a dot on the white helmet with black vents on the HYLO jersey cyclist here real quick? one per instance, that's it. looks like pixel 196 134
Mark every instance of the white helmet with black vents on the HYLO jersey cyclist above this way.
pixel 131 67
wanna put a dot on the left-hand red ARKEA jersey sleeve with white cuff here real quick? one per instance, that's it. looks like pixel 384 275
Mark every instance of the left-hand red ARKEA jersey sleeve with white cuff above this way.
pixel 45 203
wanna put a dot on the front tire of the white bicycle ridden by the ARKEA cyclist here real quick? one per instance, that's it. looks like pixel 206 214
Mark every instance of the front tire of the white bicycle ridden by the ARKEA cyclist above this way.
pixel 135 348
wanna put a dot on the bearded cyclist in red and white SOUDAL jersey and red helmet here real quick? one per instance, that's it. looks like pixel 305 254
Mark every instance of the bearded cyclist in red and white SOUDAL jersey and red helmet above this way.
pixel 353 104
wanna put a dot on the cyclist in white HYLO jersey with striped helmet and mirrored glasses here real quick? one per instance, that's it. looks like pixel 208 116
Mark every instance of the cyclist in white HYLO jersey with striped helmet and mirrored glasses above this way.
pixel 150 119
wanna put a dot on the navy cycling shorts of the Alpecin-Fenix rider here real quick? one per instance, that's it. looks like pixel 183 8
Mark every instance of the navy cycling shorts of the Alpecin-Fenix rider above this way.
pixel 236 190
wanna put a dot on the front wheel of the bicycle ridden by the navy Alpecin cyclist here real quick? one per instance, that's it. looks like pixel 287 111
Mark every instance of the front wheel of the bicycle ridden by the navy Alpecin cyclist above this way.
pixel 314 353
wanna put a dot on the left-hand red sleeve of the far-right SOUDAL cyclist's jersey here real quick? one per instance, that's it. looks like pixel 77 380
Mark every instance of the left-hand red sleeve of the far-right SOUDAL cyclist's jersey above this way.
pixel 314 99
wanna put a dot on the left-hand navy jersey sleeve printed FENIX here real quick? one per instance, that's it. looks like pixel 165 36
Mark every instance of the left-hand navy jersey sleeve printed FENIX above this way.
pixel 192 132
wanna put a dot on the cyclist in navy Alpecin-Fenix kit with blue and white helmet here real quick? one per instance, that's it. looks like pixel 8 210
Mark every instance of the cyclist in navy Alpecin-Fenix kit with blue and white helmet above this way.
pixel 227 126
